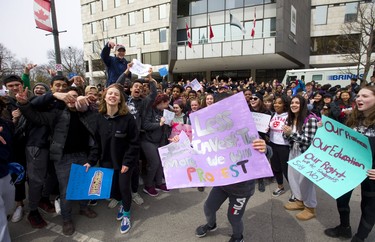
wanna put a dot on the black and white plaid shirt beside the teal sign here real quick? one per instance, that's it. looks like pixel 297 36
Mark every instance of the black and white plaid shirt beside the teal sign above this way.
pixel 304 139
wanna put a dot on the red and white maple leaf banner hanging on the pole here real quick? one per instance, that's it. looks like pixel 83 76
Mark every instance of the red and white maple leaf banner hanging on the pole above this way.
pixel 42 10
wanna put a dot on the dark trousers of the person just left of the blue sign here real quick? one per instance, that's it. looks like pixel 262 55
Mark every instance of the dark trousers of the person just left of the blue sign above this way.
pixel 63 171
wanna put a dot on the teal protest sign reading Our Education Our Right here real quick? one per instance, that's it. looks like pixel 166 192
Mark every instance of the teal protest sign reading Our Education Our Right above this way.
pixel 337 159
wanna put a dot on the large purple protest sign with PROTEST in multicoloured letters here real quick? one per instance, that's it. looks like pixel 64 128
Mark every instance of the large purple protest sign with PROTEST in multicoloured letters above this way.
pixel 222 151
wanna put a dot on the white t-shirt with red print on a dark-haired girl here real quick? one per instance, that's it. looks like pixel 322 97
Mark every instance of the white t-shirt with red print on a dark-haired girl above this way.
pixel 276 129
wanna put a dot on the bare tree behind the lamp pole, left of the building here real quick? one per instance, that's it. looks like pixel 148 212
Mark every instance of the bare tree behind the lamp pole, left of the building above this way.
pixel 71 58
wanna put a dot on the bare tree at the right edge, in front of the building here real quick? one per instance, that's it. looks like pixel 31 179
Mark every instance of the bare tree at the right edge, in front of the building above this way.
pixel 358 40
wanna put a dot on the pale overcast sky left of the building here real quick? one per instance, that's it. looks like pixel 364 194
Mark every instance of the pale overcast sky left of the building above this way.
pixel 19 35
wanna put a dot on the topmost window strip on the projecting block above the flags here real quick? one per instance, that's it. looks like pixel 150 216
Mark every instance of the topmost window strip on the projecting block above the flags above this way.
pixel 188 8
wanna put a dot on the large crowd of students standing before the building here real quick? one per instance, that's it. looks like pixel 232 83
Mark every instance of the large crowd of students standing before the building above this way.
pixel 46 128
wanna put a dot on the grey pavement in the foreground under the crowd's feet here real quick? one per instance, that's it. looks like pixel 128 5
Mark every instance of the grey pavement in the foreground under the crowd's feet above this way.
pixel 174 216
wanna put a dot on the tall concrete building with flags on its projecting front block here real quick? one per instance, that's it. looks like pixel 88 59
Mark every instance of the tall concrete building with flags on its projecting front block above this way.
pixel 258 38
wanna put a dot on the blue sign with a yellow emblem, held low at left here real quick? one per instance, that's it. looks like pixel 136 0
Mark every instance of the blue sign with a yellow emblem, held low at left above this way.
pixel 96 183
